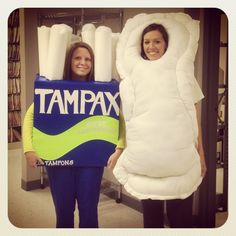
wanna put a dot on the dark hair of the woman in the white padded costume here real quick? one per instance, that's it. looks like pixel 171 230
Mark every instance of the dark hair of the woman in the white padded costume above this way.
pixel 152 27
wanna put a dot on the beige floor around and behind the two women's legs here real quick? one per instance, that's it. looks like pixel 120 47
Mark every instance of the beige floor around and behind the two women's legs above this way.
pixel 34 209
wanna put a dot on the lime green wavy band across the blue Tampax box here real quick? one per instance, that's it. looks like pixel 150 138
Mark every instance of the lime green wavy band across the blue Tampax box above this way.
pixel 52 147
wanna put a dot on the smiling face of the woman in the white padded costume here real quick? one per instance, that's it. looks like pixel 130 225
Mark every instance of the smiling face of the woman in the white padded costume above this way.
pixel 154 45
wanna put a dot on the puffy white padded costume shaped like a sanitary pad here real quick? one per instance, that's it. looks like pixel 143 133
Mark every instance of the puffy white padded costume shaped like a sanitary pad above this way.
pixel 160 160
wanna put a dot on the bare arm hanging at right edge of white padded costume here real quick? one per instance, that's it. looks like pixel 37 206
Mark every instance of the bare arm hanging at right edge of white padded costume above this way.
pixel 200 148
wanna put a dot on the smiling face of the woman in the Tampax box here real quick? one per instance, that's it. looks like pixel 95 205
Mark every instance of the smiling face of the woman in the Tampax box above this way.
pixel 81 64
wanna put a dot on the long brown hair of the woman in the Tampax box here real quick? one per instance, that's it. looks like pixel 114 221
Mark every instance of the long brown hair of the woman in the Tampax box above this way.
pixel 68 71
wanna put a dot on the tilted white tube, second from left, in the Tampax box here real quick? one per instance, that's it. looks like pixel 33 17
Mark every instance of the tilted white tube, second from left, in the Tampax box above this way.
pixel 60 37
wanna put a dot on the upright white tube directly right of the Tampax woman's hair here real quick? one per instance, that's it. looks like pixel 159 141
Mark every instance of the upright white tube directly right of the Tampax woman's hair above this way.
pixel 103 54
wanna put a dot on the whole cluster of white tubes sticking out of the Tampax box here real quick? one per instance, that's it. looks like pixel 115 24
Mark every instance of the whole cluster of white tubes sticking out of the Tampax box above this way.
pixel 54 42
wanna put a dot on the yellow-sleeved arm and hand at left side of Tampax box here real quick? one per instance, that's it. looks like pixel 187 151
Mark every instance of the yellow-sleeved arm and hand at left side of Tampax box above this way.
pixel 27 132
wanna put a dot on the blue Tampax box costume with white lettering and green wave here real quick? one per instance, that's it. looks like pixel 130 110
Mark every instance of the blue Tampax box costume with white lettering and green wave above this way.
pixel 75 123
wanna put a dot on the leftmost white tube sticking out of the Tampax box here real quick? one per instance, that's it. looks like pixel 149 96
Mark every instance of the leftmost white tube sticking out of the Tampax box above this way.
pixel 43 40
